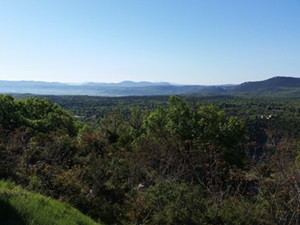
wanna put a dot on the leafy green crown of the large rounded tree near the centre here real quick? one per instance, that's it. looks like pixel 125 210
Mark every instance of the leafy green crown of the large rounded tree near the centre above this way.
pixel 193 138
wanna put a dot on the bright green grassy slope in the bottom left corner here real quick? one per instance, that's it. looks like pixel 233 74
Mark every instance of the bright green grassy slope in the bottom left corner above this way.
pixel 20 207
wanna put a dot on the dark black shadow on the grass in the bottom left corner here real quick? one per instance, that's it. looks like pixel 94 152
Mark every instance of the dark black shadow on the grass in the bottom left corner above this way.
pixel 9 215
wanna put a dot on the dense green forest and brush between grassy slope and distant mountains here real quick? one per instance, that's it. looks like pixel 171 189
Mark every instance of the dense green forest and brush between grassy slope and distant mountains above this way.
pixel 202 159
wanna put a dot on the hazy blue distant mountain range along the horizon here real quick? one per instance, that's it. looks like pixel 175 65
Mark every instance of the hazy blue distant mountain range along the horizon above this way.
pixel 273 85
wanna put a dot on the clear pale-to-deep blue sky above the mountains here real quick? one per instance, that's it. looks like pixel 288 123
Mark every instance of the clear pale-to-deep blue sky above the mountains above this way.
pixel 180 41
